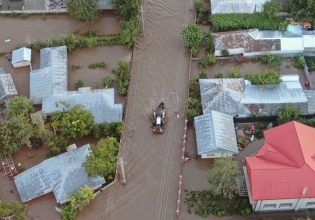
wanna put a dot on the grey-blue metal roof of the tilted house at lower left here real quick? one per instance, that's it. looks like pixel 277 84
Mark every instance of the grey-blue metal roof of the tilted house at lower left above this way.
pixel 63 175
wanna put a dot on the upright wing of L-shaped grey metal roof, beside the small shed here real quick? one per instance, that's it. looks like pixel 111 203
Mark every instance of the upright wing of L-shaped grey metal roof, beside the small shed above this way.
pixel 52 78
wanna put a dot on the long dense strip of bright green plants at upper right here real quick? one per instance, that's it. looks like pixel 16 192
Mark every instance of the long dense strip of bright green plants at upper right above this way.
pixel 231 22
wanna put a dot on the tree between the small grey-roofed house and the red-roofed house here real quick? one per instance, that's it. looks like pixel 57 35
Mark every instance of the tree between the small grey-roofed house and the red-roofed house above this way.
pixel 222 177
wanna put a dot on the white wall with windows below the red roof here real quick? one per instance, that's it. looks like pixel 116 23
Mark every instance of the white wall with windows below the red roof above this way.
pixel 284 204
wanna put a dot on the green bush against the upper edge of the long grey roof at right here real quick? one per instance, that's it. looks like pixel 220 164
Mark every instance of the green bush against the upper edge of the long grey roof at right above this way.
pixel 266 76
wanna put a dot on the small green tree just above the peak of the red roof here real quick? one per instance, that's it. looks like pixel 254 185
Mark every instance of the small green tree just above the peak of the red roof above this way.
pixel 289 113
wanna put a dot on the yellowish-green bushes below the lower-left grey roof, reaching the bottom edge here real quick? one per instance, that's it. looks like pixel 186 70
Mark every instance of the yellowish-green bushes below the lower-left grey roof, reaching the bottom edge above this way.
pixel 78 200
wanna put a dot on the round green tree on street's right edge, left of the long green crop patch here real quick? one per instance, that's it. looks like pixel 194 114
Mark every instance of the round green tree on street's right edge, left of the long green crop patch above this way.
pixel 192 37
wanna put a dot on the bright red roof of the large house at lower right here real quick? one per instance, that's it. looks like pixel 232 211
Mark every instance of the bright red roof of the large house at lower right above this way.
pixel 285 165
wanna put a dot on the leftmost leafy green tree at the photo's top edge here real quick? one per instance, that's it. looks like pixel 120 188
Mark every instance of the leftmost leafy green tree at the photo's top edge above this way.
pixel 84 10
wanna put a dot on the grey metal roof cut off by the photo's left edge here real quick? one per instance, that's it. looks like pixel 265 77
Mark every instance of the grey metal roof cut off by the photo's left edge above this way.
pixel 7 86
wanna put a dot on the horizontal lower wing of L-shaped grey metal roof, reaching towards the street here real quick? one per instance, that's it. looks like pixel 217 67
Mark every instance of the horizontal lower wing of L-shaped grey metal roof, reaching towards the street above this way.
pixel 99 101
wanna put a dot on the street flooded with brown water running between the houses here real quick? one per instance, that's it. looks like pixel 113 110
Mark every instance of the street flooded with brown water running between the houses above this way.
pixel 159 73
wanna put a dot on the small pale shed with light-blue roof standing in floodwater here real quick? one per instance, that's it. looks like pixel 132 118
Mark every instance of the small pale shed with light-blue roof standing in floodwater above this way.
pixel 21 57
